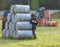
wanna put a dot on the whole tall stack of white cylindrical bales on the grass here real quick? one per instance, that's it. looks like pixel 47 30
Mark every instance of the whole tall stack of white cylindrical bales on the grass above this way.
pixel 18 23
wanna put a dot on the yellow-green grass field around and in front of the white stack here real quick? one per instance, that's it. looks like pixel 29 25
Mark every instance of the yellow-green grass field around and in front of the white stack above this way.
pixel 46 37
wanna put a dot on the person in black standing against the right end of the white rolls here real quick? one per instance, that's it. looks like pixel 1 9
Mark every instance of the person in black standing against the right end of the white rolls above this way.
pixel 34 22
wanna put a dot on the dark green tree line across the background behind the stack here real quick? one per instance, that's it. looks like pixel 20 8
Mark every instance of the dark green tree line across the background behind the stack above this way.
pixel 48 4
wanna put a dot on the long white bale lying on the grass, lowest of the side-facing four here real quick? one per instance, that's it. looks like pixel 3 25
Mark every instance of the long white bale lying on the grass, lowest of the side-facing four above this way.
pixel 24 34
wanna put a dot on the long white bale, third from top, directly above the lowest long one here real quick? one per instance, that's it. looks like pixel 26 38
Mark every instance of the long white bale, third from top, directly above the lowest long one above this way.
pixel 23 26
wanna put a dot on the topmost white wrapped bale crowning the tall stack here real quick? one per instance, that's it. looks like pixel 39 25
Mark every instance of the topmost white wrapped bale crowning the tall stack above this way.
pixel 20 8
